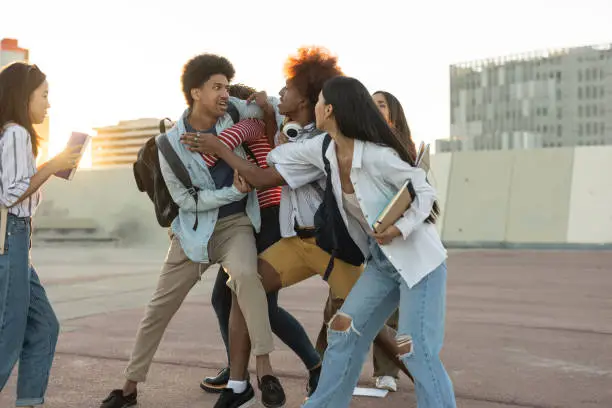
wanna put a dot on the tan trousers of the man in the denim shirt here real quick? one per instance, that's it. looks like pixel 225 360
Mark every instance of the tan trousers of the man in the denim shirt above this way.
pixel 232 245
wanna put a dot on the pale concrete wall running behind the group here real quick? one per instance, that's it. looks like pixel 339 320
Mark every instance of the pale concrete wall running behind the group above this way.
pixel 542 197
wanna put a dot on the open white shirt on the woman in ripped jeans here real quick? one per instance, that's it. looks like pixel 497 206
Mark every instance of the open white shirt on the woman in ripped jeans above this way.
pixel 377 174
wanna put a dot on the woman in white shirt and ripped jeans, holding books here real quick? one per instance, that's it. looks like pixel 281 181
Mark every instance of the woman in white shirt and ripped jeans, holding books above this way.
pixel 369 163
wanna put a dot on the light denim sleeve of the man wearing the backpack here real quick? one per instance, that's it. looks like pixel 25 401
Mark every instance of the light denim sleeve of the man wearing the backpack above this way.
pixel 208 199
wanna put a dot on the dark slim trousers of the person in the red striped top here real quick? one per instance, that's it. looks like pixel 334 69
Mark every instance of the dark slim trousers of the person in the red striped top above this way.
pixel 283 324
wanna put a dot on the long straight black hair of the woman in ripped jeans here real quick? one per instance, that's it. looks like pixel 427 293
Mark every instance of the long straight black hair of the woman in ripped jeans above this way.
pixel 358 117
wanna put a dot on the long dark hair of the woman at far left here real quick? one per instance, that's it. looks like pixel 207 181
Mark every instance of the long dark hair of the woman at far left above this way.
pixel 18 81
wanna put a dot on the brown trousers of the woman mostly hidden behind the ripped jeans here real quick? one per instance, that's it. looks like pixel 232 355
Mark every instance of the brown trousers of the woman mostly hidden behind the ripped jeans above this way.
pixel 382 364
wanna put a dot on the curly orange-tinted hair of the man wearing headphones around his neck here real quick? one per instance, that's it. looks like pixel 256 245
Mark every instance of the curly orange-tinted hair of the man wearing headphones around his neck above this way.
pixel 309 69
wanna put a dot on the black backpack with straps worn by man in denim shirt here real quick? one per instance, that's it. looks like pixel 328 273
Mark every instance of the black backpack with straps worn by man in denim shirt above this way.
pixel 149 179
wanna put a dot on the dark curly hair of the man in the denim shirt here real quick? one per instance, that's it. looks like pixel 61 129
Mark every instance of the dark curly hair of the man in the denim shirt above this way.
pixel 199 69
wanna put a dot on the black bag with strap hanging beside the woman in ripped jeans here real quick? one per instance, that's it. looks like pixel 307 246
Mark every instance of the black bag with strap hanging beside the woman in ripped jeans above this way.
pixel 331 233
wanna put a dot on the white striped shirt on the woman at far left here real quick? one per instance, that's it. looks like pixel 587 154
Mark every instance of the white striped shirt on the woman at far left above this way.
pixel 17 166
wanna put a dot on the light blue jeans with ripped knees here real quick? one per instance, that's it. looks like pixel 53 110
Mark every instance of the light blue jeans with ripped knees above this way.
pixel 372 300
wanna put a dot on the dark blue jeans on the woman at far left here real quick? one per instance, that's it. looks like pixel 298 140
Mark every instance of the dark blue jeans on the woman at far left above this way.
pixel 28 326
